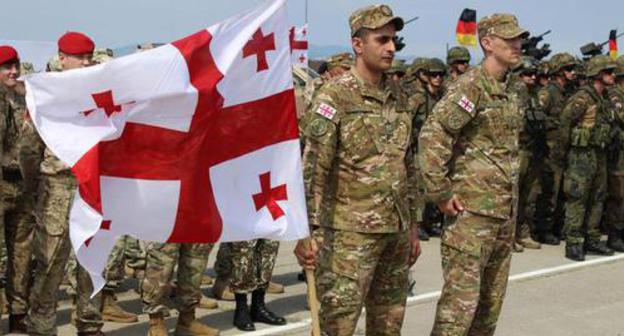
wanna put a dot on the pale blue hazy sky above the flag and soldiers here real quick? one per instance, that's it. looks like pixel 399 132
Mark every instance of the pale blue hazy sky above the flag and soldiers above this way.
pixel 116 23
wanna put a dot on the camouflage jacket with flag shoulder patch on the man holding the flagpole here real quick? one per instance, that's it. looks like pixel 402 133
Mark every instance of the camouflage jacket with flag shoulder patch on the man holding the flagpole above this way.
pixel 357 156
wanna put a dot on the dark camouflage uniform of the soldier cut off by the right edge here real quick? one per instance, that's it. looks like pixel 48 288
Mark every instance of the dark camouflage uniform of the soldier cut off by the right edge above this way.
pixel 615 200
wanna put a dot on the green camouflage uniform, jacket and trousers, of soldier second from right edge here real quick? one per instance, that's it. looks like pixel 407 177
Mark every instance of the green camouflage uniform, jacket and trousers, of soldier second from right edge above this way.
pixel 586 123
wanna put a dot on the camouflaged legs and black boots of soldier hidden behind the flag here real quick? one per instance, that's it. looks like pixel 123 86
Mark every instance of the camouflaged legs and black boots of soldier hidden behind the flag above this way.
pixel 253 263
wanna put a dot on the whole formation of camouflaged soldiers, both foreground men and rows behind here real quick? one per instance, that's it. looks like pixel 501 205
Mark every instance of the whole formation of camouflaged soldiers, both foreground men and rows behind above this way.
pixel 493 158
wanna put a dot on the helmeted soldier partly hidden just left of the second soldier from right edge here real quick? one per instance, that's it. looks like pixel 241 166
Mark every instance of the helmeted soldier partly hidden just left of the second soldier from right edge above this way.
pixel 551 101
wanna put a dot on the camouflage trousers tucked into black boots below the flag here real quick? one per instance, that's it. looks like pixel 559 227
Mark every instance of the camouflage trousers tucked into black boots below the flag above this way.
pixel 253 263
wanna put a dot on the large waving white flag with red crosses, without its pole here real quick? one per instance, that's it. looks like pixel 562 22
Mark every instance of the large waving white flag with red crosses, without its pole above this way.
pixel 194 141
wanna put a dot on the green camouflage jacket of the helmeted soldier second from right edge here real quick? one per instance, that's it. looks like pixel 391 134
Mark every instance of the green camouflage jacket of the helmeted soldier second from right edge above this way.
pixel 586 120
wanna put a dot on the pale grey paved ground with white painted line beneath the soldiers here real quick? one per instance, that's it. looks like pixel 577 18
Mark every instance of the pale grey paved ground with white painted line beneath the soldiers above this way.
pixel 584 301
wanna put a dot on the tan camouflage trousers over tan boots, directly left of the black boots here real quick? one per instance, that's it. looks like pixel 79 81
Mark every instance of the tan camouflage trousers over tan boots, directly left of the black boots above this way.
pixel 162 258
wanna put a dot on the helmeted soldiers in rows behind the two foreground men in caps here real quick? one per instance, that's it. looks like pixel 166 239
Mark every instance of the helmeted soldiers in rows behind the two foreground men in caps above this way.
pixel 592 203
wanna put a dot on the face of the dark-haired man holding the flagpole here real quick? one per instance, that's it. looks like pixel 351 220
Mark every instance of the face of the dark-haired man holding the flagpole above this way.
pixel 377 48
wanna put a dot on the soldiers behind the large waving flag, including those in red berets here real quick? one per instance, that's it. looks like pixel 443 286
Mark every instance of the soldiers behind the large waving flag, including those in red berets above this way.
pixel 37 191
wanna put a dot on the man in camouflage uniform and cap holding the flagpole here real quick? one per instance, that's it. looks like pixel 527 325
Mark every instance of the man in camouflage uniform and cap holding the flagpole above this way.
pixel 357 160
